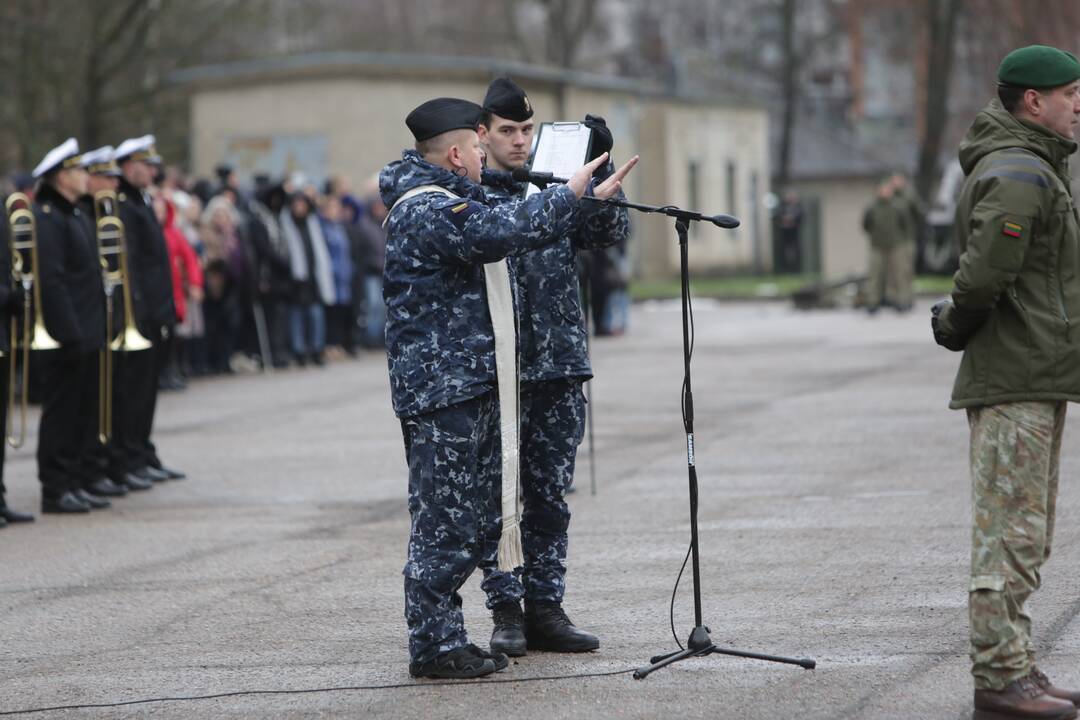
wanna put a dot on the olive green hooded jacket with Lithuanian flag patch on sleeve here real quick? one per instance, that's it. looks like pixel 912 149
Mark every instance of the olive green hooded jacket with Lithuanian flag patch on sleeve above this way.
pixel 1017 296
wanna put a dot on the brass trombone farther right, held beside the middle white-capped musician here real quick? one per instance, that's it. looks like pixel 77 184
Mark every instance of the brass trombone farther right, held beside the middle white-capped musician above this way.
pixel 115 273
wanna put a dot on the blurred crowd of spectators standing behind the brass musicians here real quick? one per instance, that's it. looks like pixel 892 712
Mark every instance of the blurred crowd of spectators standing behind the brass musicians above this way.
pixel 283 274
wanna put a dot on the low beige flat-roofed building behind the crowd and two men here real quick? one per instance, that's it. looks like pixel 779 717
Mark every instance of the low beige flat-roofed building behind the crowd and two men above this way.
pixel 343 114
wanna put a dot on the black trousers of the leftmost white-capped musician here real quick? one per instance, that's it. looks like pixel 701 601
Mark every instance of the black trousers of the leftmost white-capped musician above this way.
pixel 67 417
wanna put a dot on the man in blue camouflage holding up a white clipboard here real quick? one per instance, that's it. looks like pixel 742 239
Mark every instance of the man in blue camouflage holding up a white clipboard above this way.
pixel 555 363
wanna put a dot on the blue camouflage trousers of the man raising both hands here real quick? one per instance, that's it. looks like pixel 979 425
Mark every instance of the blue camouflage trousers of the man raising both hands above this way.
pixel 454 471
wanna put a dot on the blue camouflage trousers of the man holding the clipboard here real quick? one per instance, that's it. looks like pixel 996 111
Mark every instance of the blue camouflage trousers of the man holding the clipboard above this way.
pixel 553 425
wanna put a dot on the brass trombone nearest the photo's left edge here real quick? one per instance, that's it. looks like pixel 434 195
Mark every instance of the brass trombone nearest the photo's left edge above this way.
pixel 24 274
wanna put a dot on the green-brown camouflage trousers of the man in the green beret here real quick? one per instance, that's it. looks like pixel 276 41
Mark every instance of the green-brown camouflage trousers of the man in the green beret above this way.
pixel 1015 468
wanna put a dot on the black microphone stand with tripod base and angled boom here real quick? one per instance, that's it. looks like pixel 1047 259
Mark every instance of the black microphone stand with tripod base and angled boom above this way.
pixel 699 645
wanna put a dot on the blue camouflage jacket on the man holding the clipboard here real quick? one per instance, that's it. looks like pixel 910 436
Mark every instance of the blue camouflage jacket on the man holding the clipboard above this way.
pixel 551 332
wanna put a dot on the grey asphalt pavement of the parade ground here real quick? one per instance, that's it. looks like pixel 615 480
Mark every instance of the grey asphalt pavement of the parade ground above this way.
pixel 834 518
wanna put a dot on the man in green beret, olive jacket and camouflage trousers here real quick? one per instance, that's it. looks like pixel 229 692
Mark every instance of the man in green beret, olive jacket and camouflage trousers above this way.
pixel 1011 310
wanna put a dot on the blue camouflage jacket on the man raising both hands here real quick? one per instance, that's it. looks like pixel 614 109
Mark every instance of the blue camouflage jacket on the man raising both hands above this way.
pixel 440 344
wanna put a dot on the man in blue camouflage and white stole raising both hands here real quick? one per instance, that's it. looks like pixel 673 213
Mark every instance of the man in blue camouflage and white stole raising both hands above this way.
pixel 441 352
